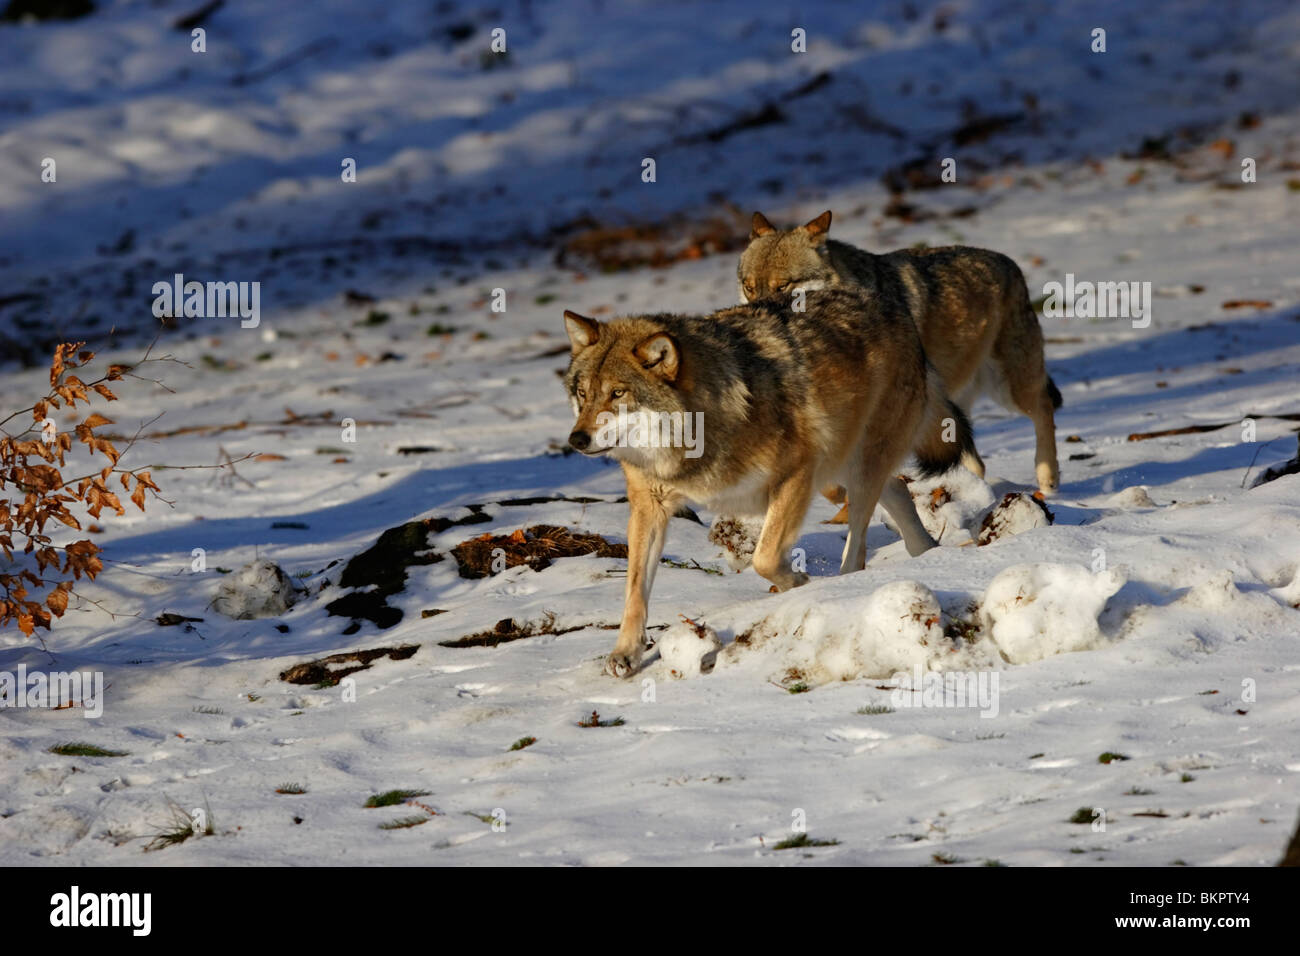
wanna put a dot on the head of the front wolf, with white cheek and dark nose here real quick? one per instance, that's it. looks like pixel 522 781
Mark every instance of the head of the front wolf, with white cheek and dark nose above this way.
pixel 623 384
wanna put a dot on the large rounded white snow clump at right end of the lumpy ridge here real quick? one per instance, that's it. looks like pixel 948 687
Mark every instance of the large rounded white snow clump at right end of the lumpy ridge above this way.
pixel 1032 612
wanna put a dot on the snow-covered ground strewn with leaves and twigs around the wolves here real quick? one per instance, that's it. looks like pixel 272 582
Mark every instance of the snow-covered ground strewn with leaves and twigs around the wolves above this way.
pixel 1155 620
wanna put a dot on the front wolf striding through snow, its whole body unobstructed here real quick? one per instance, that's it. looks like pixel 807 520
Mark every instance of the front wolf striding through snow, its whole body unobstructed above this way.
pixel 790 401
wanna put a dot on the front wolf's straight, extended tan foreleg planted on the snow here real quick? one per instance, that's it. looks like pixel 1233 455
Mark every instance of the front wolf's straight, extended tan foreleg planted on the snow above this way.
pixel 648 525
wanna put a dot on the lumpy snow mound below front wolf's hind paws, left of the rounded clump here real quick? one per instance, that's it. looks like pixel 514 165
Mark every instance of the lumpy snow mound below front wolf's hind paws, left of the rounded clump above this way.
pixel 898 628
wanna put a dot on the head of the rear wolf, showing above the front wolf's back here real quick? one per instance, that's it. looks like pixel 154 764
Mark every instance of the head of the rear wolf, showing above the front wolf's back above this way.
pixel 777 263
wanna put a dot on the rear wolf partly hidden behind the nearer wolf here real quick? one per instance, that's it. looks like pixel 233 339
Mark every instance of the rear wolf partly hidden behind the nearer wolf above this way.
pixel 970 305
